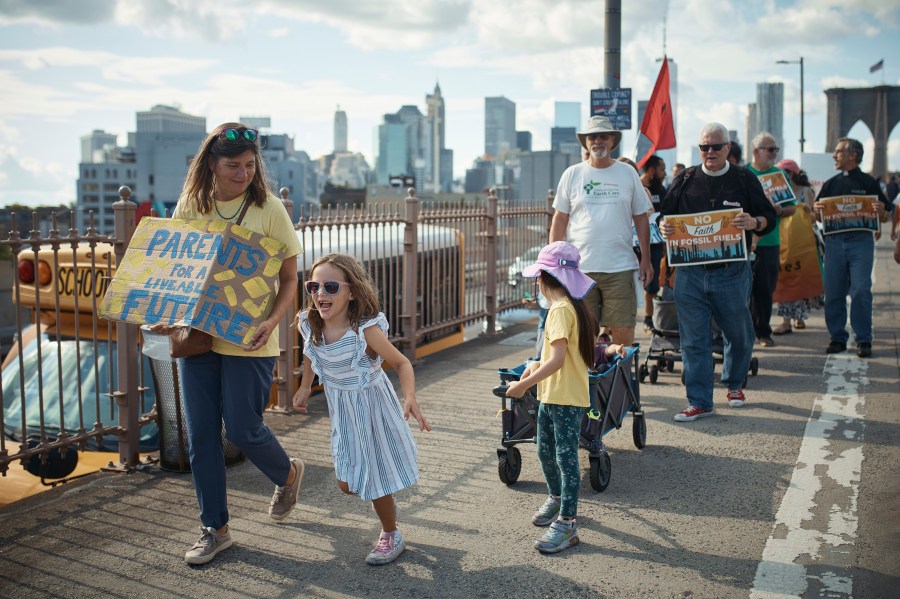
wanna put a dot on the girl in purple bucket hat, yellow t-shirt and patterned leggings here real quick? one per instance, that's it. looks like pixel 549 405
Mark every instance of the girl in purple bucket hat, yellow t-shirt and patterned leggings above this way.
pixel 562 379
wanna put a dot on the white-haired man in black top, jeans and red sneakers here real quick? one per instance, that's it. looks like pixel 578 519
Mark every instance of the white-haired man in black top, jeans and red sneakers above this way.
pixel 720 290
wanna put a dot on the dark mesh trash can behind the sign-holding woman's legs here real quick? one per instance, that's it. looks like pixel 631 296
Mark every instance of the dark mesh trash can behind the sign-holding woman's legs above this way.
pixel 173 436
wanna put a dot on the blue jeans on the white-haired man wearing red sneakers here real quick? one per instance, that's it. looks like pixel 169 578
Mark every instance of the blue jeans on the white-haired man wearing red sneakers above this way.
pixel 721 292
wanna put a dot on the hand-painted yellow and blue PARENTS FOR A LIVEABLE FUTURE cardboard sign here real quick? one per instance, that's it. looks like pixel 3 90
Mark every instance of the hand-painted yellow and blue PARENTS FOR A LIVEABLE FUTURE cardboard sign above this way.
pixel 215 276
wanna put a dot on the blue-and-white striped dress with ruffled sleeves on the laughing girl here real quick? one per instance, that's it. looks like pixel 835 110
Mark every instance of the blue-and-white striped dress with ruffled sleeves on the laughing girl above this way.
pixel 373 448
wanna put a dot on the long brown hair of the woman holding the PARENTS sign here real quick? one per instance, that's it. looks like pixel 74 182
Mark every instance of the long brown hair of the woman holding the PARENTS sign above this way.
pixel 199 186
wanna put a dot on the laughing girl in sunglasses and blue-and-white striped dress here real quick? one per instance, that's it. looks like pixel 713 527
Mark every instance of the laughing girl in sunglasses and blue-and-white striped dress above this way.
pixel 345 342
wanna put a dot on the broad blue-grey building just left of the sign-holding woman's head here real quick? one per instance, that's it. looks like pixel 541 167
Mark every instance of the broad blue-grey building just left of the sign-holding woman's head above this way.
pixel 166 142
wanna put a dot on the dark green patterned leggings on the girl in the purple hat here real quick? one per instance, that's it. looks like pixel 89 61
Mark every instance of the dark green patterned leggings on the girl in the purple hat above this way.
pixel 558 428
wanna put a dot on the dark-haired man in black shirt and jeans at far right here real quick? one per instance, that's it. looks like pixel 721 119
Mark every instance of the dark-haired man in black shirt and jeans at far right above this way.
pixel 849 255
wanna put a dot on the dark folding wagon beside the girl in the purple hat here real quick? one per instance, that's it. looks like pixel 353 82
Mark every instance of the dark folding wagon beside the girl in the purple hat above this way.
pixel 614 392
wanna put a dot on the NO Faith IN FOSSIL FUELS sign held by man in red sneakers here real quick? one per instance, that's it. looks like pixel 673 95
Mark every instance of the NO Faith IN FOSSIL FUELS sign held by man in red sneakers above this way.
pixel 705 238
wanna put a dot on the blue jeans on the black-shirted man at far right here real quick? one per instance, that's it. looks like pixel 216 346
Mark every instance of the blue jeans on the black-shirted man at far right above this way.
pixel 848 269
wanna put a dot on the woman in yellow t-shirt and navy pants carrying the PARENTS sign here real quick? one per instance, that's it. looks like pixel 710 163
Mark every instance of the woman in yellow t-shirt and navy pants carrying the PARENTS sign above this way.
pixel 227 181
